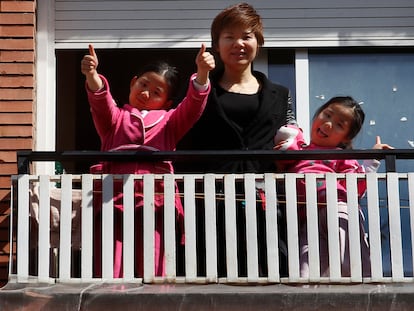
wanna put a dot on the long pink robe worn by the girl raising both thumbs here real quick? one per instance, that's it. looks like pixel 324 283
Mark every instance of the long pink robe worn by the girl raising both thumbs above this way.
pixel 127 128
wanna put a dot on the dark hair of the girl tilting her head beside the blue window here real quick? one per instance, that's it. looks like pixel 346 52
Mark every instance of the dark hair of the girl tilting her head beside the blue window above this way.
pixel 358 120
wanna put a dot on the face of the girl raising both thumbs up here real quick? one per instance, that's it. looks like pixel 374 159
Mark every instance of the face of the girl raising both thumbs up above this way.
pixel 149 92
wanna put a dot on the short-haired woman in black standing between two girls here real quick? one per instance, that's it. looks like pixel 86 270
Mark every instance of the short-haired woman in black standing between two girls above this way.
pixel 243 112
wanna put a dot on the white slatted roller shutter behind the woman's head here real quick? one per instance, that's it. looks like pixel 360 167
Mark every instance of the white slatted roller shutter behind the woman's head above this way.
pixel 167 24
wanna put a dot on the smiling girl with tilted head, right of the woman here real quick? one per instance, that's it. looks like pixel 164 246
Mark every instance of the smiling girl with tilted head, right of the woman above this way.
pixel 334 126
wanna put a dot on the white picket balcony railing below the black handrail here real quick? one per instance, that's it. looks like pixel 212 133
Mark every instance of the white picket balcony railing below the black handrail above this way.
pixel 61 224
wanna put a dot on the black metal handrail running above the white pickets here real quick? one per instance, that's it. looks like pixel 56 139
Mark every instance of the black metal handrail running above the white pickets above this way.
pixel 25 157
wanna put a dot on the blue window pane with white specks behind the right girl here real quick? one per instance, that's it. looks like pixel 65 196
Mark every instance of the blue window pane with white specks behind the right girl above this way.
pixel 382 80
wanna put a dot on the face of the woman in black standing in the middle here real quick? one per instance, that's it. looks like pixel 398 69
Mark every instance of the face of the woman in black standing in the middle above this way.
pixel 237 46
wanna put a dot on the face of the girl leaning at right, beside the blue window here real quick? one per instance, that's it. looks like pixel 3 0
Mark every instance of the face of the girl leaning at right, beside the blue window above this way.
pixel 331 126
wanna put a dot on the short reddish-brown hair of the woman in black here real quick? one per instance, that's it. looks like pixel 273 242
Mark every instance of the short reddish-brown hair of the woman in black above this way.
pixel 239 15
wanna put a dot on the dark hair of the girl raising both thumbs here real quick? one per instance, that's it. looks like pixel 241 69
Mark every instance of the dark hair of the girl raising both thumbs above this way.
pixel 170 73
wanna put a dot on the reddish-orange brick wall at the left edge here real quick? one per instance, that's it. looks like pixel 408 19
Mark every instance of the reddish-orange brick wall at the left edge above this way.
pixel 17 95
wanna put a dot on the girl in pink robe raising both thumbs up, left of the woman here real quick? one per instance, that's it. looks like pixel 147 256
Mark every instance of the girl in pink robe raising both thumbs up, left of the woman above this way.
pixel 147 122
